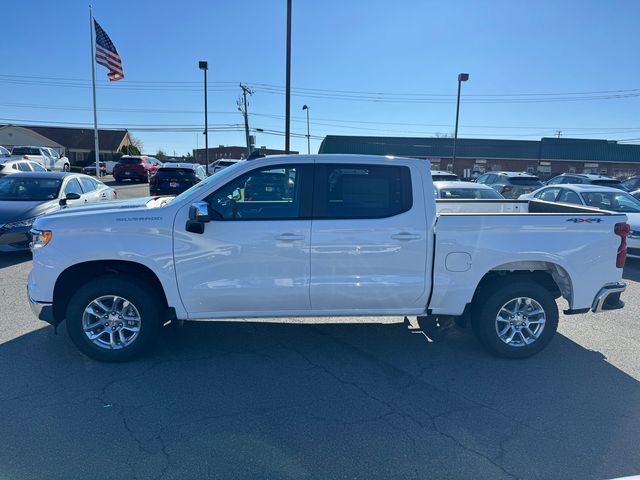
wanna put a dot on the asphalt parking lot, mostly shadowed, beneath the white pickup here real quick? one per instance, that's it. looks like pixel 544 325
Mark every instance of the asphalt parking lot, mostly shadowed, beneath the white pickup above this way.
pixel 291 401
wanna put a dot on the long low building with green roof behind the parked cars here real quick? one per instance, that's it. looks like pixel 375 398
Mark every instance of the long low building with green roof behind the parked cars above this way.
pixel 545 157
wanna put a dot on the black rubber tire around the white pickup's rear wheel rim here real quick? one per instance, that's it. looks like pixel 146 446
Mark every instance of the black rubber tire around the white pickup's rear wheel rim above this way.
pixel 483 317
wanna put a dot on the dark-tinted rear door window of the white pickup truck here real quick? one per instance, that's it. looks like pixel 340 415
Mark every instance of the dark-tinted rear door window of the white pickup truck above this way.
pixel 361 191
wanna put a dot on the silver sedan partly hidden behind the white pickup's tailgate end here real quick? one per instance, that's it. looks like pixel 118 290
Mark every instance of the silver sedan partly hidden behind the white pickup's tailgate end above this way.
pixel 596 196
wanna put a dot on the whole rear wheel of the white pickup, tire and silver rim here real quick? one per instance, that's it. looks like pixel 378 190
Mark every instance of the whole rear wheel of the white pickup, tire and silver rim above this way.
pixel 518 319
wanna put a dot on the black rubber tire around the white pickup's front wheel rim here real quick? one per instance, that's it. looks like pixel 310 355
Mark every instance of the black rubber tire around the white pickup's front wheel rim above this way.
pixel 147 304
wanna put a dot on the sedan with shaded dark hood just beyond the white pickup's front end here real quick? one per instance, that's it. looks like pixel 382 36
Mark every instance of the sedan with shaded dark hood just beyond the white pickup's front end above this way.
pixel 25 196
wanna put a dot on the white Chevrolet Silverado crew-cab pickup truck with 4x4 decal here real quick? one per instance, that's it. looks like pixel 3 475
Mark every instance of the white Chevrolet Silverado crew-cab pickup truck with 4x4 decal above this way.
pixel 304 237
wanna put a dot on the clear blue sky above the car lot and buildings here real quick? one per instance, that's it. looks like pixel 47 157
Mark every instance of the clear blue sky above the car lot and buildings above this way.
pixel 364 67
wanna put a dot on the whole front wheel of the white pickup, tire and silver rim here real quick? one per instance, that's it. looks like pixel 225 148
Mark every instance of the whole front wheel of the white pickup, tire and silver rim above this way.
pixel 113 319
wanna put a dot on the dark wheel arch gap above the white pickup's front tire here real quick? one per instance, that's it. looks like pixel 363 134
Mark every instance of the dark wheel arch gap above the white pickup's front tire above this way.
pixel 77 275
